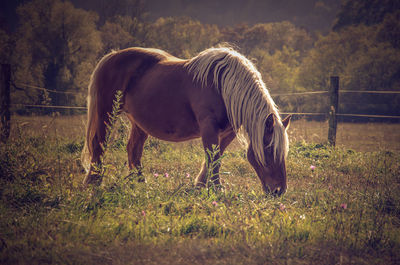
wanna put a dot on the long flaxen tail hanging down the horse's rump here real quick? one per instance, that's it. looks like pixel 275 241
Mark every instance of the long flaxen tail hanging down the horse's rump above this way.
pixel 93 118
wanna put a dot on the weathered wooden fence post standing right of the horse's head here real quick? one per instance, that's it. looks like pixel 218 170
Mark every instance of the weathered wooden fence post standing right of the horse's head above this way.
pixel 334 104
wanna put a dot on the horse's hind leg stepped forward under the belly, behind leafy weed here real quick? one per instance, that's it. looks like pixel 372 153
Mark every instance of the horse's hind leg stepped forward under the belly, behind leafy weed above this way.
pixel 135 148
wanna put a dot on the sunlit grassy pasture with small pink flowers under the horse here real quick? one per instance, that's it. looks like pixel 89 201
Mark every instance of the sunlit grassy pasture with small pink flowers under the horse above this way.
pixel 344 211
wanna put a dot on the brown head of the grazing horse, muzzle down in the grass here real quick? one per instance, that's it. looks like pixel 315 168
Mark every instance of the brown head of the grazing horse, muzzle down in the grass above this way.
pixel 272 172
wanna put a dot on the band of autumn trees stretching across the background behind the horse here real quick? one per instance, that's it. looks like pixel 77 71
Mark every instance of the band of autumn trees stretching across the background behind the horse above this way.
pixel 57 45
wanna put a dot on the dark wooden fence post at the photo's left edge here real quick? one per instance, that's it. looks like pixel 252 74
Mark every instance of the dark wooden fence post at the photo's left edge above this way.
pixel 5 76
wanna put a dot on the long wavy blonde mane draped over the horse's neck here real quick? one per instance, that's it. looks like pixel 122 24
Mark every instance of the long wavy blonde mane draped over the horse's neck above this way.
pixel 247 101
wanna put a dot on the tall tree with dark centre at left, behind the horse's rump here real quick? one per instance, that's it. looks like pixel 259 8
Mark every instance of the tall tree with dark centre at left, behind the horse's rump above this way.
pixel 56 48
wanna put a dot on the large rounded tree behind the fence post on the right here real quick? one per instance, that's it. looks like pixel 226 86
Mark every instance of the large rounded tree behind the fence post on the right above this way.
pixel 362 62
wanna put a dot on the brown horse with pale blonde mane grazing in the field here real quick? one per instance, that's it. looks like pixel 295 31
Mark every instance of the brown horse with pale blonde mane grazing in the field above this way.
pixel 216 95
